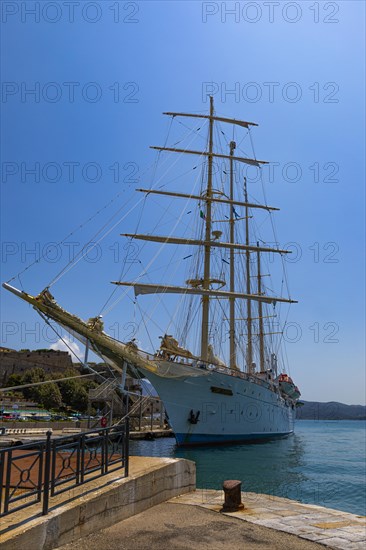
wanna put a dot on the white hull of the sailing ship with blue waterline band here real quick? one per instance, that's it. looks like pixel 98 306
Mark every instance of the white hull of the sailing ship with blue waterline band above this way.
pixel 244 411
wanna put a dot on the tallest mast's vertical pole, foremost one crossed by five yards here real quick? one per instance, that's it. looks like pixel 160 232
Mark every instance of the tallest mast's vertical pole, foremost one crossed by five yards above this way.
pixel 207 260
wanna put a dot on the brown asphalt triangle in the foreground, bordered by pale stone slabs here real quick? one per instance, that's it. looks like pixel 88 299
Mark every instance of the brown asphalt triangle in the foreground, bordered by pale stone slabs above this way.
pixel 180 527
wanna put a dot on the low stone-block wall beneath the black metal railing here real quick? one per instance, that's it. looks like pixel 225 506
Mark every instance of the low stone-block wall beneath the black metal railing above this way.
pixel 98 504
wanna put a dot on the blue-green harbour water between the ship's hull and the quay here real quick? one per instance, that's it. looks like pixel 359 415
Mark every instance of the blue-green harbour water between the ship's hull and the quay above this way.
pixel 322 463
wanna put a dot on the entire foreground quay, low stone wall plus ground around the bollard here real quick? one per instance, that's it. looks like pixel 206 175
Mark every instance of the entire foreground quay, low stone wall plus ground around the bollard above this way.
pixel 158 507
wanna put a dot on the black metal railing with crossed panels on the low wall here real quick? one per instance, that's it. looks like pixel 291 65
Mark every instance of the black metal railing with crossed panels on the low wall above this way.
pixel 58 464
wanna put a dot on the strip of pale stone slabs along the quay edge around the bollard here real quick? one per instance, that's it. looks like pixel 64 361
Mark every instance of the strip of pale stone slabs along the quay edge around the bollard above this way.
pixel 332 528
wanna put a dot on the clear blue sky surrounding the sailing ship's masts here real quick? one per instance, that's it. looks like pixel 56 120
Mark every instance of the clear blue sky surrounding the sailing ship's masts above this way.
pixel 103 74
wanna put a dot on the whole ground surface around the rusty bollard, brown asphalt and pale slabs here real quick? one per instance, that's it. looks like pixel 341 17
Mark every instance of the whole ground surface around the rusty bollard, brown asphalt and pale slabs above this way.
pixel 193 521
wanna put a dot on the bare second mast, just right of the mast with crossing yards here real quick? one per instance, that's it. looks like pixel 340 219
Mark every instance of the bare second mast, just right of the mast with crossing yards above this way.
pixel 232 264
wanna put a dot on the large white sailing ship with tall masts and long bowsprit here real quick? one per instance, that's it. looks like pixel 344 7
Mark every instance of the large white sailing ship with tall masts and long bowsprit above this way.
pixel 208 399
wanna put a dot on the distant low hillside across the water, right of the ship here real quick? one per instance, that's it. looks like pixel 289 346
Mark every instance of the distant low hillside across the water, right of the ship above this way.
pixel 312 410
